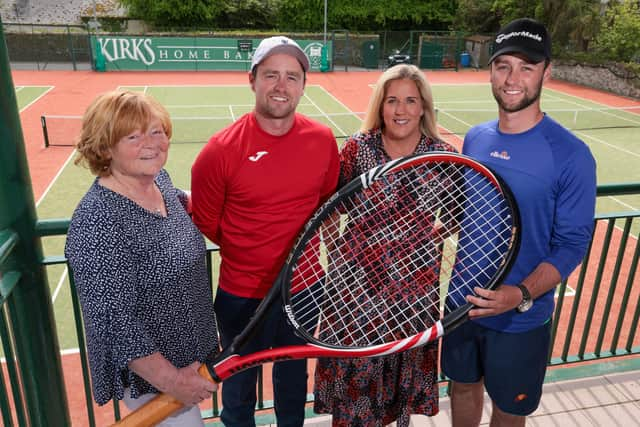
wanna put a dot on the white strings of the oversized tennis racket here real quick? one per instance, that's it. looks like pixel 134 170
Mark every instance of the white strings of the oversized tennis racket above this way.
pixel 388 250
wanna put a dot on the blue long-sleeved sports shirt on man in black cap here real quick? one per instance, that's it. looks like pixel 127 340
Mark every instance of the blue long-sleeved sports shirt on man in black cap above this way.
pixel 553 177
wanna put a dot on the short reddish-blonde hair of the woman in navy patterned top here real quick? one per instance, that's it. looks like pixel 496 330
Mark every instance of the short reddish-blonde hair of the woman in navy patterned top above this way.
pixel 109 118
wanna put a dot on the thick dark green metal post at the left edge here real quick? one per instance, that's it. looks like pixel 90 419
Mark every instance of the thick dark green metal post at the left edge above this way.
pixel 30 307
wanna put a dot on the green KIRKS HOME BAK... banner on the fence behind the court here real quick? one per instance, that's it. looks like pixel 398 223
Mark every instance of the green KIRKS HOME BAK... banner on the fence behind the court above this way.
pixel 185 53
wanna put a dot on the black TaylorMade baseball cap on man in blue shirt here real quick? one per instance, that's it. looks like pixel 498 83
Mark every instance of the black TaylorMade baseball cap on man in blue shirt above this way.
pixel 526 36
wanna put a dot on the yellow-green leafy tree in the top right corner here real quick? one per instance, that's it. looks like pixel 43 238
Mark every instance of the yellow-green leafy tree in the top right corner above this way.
pixel 619 38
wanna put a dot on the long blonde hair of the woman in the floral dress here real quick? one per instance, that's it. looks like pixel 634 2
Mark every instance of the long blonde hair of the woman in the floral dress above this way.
pixel 373 118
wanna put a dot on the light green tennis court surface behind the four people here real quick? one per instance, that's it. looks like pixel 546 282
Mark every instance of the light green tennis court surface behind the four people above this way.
pixel 199 111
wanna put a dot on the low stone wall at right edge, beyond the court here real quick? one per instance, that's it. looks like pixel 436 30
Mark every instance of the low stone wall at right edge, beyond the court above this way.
pixel 611 77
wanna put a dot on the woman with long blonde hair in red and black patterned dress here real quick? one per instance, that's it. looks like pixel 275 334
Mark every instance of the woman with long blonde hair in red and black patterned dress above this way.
pixel 400 121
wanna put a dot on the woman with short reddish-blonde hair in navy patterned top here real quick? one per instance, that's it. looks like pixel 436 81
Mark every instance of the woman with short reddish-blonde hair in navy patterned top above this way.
pixel 139 262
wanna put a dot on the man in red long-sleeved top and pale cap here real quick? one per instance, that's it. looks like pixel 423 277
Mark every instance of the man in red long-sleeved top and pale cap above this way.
pixel 254 185
